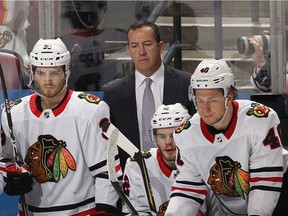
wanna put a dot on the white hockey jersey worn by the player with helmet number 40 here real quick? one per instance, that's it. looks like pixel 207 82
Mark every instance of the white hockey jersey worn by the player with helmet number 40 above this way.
pixel 243 165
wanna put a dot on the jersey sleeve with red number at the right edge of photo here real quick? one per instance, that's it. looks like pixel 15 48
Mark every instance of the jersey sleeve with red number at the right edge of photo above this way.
pixel 266 169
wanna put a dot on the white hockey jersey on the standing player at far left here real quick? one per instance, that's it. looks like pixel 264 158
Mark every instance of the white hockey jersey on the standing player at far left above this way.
pixel 66 151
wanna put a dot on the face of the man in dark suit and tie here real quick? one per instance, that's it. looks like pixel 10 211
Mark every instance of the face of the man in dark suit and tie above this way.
pixel 144 50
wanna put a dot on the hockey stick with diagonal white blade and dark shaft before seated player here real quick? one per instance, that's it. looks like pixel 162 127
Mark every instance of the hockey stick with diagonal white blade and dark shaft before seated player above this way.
pixel 109 130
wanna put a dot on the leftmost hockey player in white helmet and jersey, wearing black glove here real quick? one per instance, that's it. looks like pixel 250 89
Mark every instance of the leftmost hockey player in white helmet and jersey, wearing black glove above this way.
pixel 59 136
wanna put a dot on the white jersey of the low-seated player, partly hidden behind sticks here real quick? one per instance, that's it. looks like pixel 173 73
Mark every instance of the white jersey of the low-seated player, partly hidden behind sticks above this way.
pixel 161 180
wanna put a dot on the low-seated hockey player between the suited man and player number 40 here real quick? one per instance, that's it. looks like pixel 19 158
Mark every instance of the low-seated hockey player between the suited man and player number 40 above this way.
pixel 161 164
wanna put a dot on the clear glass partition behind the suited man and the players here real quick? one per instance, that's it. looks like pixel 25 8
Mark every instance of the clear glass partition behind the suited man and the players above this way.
pixel 191 30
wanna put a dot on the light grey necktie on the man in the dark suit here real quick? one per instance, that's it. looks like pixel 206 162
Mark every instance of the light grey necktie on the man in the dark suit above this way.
pixel 148 109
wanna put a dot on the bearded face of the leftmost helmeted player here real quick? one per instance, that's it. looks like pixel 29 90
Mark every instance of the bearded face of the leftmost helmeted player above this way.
pixel 50 80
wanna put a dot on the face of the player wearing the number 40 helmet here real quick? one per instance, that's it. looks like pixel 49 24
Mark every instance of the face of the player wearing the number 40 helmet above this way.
pixel 210 104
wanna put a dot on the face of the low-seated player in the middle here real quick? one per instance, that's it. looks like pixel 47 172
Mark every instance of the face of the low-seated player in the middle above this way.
pixel 166 144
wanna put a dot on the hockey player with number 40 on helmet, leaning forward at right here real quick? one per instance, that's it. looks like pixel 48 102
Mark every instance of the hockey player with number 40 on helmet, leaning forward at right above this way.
pixel 230 146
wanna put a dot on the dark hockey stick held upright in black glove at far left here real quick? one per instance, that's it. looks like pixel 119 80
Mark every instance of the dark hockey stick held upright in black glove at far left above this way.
pixel 17 158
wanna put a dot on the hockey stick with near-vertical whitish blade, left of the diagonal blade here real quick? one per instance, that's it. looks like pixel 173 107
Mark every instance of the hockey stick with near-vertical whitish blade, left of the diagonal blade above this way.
pixel 112 148
